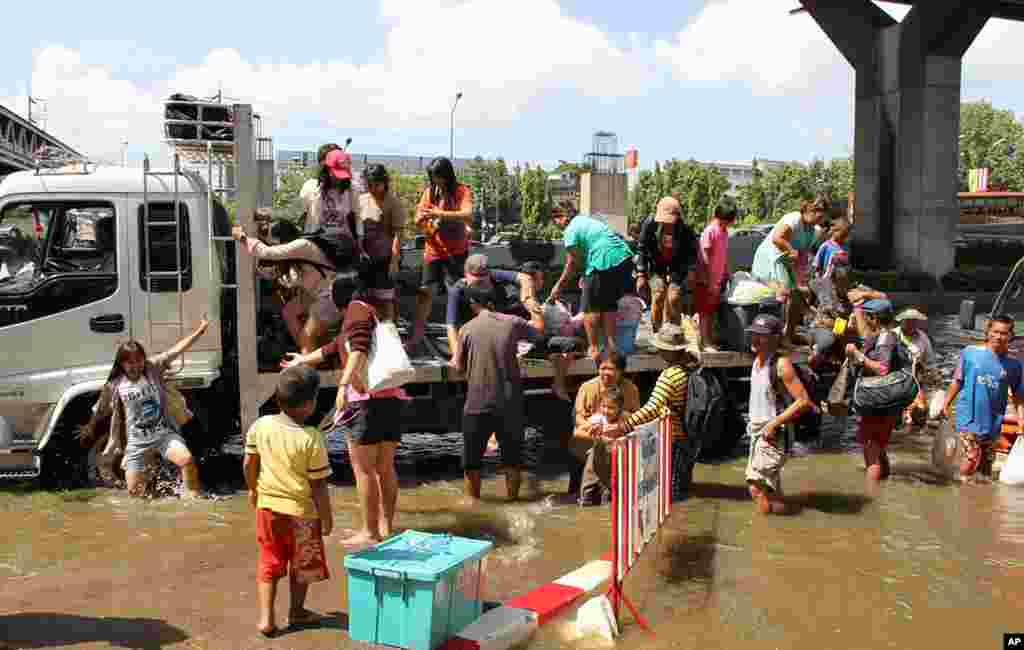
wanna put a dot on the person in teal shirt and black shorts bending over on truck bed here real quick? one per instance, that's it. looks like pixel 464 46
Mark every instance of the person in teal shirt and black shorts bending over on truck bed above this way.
pixel 608 268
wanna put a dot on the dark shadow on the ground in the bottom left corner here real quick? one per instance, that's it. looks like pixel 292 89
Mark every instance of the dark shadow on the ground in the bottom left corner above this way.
pixel 50 630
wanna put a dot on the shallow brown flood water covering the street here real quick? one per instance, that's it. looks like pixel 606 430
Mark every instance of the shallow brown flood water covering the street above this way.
pixel 915 564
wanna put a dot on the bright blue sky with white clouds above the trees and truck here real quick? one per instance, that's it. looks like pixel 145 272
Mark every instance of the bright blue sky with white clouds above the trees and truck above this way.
pixel 723 80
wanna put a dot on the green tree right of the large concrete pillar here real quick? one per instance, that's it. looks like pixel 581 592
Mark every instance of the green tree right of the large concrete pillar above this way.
pixel 992 138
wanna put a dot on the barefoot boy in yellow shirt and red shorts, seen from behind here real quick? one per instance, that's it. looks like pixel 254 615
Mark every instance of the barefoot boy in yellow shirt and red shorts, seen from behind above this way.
pixel 286 470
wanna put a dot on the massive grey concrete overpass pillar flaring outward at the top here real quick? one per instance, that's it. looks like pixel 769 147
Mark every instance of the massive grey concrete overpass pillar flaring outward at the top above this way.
pixel 908 125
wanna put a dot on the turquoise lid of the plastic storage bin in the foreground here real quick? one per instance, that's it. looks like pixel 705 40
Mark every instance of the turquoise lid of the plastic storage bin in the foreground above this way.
pixel 420 556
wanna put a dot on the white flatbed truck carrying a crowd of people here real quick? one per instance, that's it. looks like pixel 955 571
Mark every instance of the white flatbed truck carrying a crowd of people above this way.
pixel 117 253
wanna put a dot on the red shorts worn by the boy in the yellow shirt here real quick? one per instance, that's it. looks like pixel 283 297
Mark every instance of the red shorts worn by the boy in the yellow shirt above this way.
pixel 286 541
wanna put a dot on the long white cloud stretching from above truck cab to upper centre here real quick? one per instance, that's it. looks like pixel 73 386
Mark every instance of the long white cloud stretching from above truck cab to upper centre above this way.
pixel 506 58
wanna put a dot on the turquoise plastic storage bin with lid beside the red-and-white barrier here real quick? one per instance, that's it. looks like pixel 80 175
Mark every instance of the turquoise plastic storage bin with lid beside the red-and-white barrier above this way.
pixel 415 591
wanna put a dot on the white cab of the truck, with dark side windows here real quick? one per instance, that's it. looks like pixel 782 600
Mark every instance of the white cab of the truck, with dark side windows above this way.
pixel 96 256
